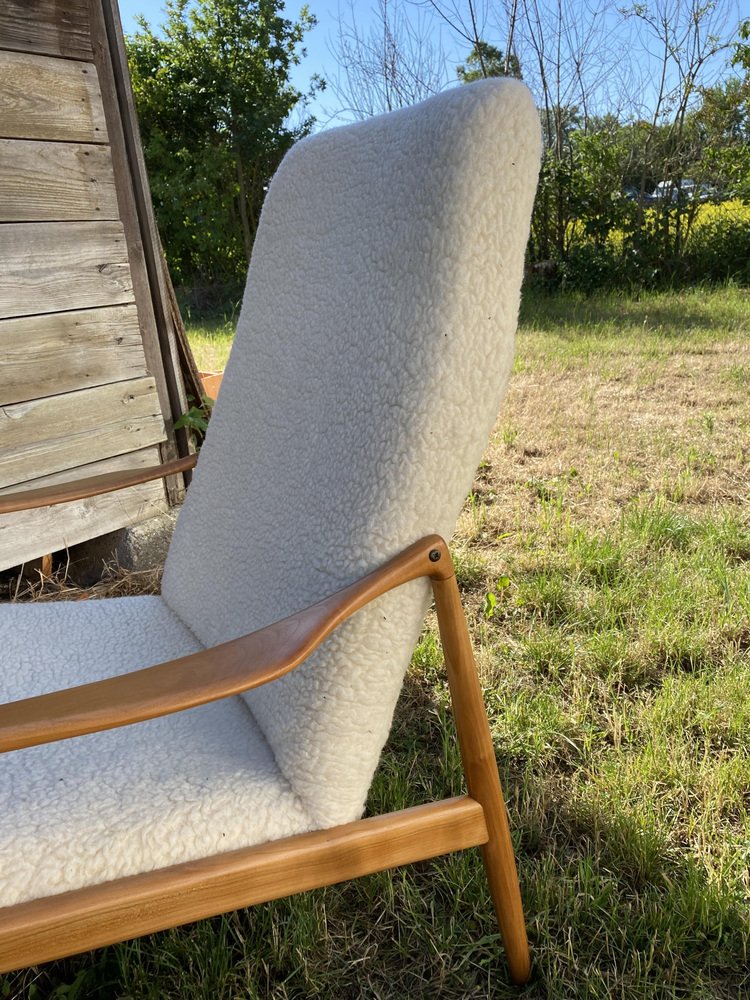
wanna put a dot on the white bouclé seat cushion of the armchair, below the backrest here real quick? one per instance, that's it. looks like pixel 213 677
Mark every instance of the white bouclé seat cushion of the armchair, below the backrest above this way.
pixel 95 808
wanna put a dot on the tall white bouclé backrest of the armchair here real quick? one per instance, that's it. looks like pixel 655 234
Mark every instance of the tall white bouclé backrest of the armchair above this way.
pixel 371 356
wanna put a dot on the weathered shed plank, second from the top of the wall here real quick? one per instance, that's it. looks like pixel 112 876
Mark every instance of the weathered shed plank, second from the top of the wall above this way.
pixel 46 98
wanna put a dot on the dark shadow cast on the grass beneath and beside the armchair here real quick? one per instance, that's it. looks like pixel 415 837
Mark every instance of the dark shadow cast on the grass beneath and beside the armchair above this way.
pixel 614 909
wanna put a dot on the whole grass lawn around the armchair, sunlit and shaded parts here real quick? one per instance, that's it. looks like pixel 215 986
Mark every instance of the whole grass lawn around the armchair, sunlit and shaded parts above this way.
pixel 604 556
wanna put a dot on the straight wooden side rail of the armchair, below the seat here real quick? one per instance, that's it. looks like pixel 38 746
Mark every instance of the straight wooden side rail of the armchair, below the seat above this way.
pixel 62 925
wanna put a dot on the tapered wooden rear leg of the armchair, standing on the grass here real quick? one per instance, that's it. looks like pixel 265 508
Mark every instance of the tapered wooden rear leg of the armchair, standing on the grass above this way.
pixel 482 779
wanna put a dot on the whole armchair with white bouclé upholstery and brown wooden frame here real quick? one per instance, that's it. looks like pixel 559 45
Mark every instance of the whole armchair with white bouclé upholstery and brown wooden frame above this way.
pixel 168 758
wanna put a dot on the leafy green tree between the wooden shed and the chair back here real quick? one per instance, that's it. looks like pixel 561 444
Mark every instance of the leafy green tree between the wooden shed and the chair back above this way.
pixel 214 103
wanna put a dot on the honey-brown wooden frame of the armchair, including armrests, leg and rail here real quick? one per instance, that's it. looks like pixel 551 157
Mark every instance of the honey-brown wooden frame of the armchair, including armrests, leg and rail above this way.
pixel 65 924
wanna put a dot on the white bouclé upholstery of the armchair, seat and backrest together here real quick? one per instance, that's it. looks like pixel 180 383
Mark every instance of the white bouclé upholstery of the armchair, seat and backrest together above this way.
pixel 371 356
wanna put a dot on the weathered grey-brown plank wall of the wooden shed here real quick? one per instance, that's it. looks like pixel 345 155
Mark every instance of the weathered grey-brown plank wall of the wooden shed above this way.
pixel 84 387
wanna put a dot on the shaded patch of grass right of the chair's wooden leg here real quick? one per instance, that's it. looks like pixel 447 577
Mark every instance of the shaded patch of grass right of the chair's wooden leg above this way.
pixel 617 909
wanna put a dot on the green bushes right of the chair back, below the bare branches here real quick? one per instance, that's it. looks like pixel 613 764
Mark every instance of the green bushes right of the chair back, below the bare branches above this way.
pixel 601 219
